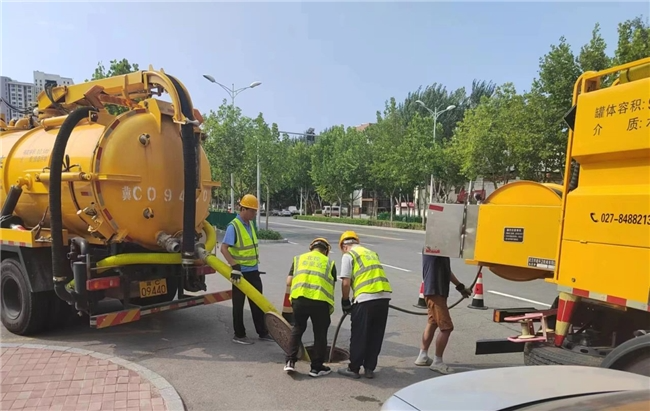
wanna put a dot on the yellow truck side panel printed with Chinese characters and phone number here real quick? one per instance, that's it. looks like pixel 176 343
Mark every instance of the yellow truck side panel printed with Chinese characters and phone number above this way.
pixel 605 244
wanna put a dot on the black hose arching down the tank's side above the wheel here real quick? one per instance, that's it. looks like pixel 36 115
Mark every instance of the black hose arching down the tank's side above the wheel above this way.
pixel 59 263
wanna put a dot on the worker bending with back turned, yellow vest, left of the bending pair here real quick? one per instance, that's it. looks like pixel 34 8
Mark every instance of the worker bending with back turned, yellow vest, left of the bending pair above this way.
pixel 311 278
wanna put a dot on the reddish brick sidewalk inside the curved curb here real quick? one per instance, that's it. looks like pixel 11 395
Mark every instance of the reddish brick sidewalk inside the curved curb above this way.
pixel 50 379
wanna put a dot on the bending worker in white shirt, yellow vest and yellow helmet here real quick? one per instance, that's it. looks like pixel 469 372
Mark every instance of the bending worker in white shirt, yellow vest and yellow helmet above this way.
pixel 362 271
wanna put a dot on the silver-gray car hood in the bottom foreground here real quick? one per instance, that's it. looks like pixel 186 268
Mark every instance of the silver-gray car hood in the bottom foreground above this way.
pixel 499 388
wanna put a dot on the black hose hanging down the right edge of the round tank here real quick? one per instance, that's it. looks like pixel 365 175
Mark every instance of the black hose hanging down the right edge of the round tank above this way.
pixel 190 165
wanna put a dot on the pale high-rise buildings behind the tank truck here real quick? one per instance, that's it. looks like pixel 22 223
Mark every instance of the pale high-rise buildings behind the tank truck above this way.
pixel 18 97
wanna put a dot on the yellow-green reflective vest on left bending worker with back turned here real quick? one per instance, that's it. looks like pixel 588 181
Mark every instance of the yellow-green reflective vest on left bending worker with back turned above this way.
pixel 312 278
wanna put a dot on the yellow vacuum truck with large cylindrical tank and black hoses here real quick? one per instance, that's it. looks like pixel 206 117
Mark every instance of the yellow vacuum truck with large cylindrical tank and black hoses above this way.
pixel 98 206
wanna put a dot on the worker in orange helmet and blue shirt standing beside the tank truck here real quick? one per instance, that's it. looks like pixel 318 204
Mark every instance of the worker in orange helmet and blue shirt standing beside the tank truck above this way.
pixel 240 249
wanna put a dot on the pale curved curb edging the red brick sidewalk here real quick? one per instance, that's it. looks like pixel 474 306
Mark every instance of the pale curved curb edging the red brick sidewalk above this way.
pixel 173 401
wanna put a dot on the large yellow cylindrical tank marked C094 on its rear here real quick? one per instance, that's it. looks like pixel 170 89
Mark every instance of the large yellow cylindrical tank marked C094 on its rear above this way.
pixel 121 181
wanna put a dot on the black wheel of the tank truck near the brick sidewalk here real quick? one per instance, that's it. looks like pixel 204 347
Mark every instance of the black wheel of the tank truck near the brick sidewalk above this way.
pixel 23 312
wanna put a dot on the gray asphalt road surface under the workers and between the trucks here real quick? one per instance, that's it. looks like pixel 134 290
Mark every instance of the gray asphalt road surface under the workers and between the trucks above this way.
pixel 192 348
